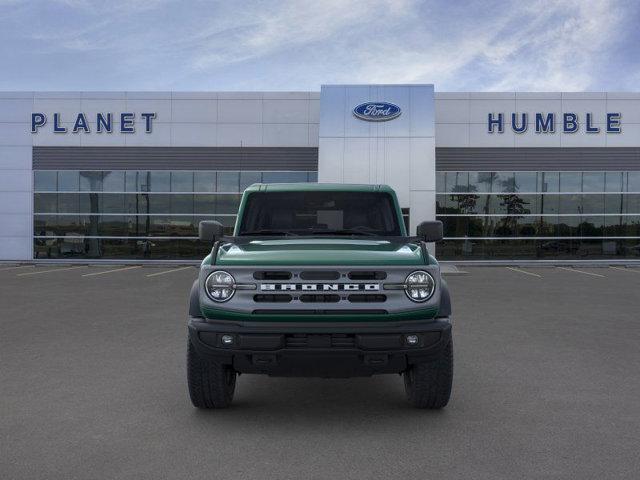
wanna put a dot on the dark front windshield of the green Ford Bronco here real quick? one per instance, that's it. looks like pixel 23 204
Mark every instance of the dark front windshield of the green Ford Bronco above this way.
pixel 320 213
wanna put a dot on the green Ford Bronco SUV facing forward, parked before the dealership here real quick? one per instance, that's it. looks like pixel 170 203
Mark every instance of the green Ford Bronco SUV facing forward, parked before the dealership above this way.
pixel 319 280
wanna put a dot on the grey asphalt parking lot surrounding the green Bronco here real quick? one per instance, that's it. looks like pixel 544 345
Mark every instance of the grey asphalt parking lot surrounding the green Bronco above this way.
pixel 93 386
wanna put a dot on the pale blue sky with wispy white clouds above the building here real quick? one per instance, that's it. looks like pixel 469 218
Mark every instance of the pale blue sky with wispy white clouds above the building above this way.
pixel 182 45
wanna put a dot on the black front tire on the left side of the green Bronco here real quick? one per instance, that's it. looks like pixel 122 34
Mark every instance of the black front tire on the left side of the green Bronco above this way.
pixel 211 384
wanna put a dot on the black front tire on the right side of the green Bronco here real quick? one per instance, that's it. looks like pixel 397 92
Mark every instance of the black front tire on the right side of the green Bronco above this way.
pixel 428 384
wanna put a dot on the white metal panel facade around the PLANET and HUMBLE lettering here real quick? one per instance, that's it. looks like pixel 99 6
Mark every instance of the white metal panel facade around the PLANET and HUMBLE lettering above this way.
pixel 400 152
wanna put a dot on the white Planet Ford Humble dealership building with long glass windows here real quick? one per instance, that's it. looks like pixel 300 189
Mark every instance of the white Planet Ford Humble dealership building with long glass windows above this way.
pixel 128 175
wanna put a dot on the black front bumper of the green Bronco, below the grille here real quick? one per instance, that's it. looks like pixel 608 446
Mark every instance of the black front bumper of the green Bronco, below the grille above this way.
pixel 319 349
